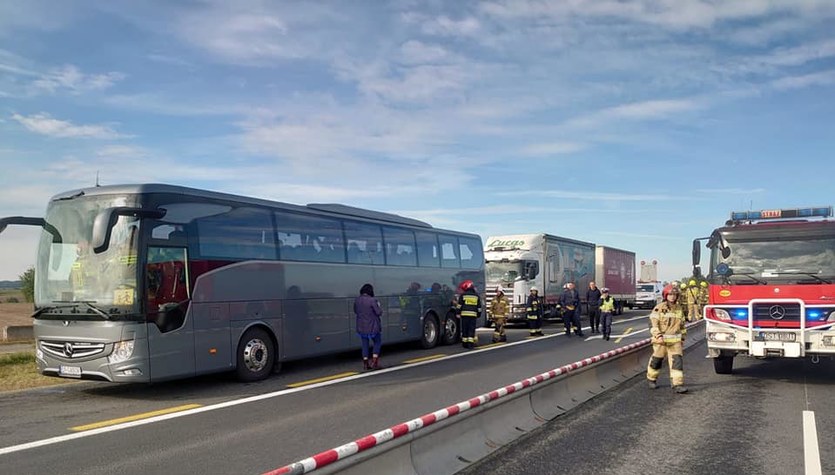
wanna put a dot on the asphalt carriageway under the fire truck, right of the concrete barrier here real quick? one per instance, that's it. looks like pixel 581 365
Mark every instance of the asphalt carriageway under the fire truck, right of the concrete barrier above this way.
pixel 750 422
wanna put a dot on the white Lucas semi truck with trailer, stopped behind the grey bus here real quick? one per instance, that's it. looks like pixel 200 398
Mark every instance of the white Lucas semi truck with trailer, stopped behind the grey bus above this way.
pixel 518 262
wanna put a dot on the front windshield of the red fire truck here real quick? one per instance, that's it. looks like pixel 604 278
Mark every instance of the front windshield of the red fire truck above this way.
pixel 783 261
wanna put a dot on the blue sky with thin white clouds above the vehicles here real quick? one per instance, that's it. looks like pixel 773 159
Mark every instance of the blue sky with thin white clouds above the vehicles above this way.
pixel 634 124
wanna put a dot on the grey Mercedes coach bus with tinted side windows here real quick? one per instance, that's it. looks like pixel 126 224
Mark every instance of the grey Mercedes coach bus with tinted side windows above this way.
pixel 149 282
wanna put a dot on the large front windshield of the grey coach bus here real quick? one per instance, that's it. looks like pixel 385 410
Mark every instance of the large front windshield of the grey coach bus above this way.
pixel 73 281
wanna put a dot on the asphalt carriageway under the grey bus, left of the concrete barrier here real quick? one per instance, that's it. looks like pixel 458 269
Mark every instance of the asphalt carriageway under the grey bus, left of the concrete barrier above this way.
pixel 228 433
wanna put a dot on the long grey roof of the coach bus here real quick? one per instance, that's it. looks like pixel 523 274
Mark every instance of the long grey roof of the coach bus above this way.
pixel 317 208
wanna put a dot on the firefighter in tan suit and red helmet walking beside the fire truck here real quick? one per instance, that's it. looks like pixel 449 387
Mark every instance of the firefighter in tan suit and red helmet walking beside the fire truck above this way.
pixel 667 329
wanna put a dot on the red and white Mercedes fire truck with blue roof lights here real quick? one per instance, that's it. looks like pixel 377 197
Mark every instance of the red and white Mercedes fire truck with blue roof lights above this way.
pixel 772 285
